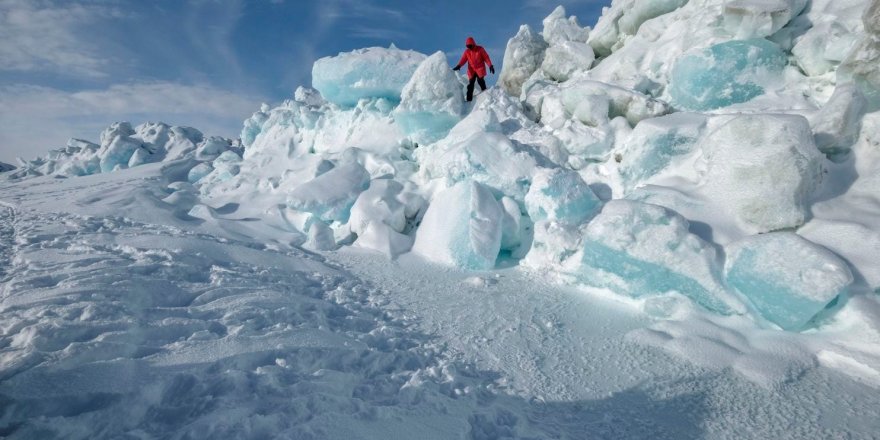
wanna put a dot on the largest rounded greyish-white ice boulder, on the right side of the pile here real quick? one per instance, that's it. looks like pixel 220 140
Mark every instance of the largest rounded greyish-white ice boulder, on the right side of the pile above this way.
pixel 763 169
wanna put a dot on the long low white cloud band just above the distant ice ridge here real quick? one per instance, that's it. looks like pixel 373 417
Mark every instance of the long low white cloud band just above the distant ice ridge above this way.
pixel 35 119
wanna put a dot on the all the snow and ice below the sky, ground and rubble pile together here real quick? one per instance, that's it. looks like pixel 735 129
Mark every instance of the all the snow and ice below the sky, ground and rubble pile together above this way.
pixel 667 226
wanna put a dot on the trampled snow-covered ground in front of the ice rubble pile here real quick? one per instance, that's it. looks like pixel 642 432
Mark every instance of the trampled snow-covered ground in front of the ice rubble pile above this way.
pixel 122 320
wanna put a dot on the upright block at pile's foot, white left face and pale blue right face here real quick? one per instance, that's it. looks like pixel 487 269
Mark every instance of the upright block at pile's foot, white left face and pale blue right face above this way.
pixel 462 227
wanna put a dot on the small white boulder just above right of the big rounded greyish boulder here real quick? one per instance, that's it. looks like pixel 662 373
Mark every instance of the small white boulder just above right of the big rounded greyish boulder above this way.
pixel 836 126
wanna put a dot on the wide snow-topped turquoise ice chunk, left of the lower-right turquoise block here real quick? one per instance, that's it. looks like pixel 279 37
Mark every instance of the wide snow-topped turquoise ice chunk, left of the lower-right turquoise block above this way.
pixel 640 249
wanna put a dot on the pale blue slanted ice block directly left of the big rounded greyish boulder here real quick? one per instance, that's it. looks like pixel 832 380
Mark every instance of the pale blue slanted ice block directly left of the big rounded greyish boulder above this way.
pixel 656 143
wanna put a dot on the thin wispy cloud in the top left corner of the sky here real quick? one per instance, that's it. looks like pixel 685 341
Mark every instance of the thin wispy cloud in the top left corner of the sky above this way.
pixel 40 35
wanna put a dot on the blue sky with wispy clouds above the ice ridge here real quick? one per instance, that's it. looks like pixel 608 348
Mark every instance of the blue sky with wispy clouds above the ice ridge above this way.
pixel 68 68
